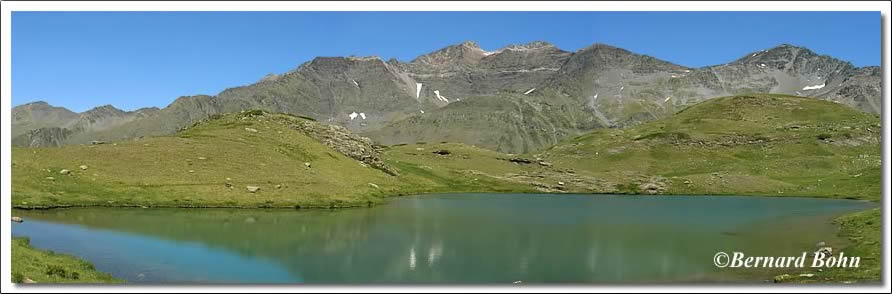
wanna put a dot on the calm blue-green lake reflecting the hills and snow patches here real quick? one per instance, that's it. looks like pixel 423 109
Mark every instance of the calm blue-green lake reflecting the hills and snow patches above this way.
pixel 456 238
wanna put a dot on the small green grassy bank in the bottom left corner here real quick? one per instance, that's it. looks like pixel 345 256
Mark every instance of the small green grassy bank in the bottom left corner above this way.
pixel 30 265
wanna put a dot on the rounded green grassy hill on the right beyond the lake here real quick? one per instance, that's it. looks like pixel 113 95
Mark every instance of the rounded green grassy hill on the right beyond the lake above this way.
pixel 750 144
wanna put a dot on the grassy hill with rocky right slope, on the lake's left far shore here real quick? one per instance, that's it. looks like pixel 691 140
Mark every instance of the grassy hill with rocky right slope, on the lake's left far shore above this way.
pixel 296 163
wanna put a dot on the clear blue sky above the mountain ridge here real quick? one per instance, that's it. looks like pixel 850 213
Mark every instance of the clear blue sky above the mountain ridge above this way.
pixel 136 59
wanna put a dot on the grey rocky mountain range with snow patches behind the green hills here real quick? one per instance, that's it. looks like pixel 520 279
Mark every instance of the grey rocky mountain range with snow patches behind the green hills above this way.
pixel 520 98
